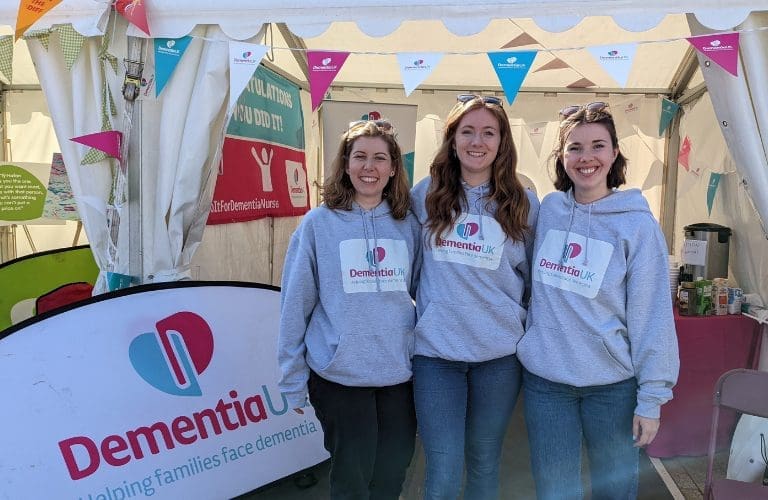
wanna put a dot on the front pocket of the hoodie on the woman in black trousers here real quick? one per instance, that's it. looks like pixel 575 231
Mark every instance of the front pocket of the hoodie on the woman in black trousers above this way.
pixel 378 356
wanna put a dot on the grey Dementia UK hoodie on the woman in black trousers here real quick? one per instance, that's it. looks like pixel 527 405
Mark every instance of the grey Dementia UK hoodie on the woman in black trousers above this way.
pixel 347 308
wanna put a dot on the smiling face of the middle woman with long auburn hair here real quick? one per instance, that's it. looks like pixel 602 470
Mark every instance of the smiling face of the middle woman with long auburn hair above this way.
pixel 476 144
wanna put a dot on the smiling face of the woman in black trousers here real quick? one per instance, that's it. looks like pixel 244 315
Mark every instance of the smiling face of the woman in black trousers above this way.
pixel 369 167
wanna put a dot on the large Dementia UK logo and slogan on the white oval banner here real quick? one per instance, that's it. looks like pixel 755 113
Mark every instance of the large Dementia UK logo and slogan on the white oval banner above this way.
pixel 171 359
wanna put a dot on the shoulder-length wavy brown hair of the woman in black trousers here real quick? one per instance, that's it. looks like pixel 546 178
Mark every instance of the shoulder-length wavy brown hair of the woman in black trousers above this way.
pixel 339 192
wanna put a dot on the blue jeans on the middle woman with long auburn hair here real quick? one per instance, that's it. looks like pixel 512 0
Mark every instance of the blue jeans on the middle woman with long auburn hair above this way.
pixel 463 409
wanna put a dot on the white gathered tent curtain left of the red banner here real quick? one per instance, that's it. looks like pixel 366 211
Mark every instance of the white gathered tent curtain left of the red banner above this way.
pixel 180 137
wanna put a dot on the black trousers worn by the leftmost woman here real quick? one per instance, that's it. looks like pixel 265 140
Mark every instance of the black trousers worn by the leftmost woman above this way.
pixel 370 433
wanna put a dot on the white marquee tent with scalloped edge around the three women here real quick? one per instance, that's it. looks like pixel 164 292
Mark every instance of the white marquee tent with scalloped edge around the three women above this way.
pixel 171 146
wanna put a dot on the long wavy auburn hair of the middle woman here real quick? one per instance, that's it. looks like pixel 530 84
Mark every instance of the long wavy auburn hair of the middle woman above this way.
pixel 446 199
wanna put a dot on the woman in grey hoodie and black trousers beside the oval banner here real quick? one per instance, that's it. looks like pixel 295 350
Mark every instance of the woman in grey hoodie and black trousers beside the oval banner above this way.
pixel 347 315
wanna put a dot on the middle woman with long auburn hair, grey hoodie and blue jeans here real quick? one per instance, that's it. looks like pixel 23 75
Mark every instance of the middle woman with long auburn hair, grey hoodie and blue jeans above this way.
pixel 478 224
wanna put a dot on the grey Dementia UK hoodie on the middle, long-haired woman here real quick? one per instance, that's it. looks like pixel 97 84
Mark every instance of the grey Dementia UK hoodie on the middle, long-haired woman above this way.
pixel 473 282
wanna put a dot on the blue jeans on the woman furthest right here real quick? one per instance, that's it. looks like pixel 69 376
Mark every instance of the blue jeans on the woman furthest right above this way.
pixel 558 416
